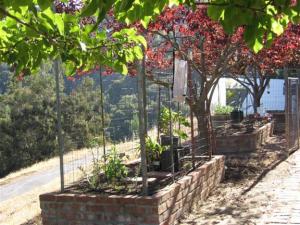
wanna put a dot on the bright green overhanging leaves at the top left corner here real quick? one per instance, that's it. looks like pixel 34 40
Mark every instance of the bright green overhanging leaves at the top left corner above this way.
pixel 32 32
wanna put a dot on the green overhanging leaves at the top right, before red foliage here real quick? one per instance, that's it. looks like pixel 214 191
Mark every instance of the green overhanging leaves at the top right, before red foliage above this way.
pixel 260 18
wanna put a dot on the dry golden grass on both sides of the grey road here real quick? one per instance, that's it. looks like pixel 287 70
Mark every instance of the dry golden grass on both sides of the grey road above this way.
pixel 24 209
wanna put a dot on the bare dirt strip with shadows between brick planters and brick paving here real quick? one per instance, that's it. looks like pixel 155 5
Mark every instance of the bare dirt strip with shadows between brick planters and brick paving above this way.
pixel 241 199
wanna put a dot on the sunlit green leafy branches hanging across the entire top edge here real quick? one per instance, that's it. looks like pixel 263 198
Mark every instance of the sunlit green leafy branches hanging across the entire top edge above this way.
pixel 31 32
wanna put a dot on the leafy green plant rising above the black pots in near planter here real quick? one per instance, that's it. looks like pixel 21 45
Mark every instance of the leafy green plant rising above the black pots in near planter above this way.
pixel 164 123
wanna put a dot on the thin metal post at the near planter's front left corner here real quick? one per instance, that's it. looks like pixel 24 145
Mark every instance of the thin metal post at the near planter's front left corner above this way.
pixel 59 127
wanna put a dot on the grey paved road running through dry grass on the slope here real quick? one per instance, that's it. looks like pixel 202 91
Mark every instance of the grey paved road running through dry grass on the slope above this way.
pixel 26 184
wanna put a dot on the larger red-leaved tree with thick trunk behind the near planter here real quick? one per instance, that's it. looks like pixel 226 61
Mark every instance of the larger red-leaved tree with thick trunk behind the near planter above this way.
pixel 210 53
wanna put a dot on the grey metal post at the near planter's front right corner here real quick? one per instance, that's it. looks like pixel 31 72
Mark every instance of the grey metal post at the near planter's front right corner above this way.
pixel 142 125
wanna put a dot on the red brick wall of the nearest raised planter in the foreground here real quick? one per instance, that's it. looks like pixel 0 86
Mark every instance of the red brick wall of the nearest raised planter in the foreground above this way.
pixel 163 208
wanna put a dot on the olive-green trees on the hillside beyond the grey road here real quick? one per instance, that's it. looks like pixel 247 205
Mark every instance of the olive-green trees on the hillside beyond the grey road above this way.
pixel 28 120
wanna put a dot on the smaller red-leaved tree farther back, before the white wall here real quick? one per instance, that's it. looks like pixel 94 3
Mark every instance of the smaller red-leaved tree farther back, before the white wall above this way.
pixel 259 68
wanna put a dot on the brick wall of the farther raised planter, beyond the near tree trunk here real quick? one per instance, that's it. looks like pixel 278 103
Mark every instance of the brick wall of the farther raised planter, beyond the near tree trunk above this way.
pixel 243 143
